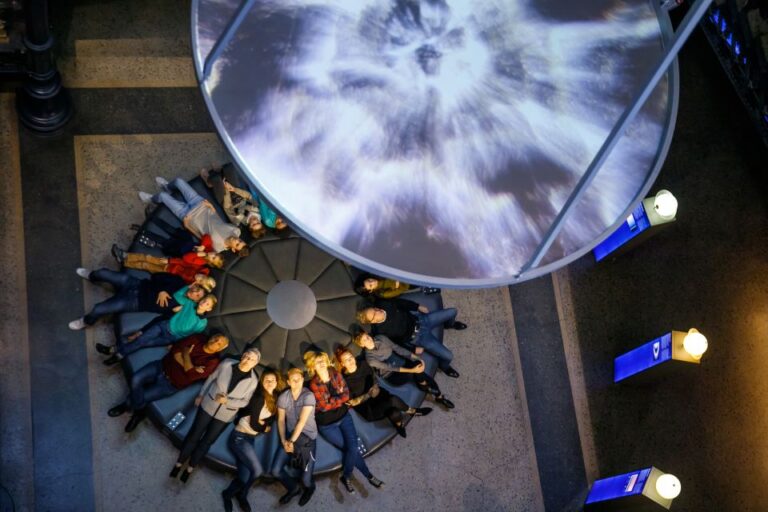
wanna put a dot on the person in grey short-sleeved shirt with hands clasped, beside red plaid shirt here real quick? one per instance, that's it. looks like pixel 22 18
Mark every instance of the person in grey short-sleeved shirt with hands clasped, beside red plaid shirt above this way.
pixel 294 462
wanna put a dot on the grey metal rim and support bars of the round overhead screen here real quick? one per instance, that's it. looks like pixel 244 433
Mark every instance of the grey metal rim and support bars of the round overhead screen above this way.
pixel 667 66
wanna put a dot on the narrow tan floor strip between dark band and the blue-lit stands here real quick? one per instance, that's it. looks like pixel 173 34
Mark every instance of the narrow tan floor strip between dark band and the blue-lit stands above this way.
pixel 574 363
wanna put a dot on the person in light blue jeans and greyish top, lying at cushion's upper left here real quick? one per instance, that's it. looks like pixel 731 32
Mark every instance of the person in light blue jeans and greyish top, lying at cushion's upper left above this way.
pixel 198 215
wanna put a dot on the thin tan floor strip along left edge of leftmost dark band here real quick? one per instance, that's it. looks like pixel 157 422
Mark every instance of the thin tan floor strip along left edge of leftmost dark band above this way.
pixel 20 284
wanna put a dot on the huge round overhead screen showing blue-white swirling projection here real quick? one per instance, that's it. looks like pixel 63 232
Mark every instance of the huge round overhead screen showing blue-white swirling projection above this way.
pixel 436 140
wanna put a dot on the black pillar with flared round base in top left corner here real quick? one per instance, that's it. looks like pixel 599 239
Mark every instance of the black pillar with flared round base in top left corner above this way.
pixel 43 104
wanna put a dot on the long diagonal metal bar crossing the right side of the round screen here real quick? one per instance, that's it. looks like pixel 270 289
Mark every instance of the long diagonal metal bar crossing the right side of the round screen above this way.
pixel 690 22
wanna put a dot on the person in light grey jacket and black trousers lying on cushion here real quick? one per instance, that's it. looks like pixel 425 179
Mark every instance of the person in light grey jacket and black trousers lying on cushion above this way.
pixel 227 390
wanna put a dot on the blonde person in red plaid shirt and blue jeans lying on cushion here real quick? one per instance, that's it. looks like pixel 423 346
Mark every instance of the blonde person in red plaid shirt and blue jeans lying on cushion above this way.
pixel 333 418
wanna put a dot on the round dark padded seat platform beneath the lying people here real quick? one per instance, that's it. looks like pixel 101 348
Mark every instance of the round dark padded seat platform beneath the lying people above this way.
pixel 286 297
